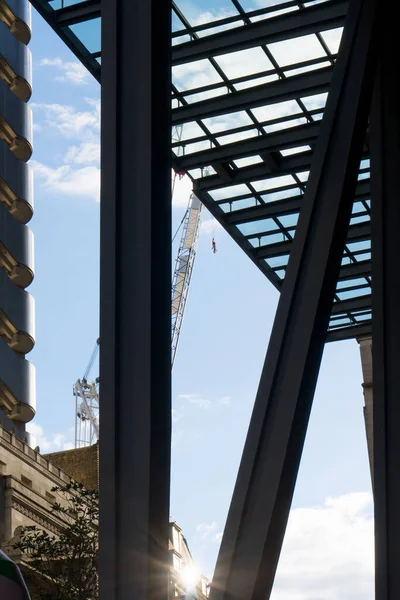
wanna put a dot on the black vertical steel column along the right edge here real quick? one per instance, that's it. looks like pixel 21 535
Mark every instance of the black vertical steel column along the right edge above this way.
pixel 385 215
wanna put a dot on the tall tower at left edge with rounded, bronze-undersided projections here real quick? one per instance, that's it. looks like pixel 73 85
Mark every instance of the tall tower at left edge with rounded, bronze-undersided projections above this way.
pixel 17 319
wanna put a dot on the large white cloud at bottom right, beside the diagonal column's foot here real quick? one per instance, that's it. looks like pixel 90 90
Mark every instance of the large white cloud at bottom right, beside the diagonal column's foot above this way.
pixel 328 551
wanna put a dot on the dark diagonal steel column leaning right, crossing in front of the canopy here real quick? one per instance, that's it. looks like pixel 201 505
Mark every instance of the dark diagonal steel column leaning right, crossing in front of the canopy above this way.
pixel 263 493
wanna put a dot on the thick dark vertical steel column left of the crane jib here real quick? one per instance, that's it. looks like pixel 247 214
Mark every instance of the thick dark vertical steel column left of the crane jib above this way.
pixel 135 300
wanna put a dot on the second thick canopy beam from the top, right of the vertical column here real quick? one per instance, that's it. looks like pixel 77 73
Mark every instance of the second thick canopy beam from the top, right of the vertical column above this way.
pixel 297 86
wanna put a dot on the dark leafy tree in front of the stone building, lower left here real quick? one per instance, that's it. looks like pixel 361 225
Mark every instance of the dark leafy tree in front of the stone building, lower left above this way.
pixel 66 562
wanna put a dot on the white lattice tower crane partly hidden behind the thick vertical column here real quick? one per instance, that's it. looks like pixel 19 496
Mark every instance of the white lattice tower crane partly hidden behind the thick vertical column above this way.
pixel 87 394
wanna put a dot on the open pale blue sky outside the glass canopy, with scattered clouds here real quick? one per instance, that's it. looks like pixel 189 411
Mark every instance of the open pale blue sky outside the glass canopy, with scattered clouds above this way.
pixel 226 328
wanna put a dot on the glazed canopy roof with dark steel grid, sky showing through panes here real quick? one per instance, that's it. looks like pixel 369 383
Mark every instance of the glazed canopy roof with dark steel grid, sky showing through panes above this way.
pixel 250 81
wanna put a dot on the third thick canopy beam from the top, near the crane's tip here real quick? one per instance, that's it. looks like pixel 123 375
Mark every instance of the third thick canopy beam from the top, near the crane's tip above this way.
pixel 287 138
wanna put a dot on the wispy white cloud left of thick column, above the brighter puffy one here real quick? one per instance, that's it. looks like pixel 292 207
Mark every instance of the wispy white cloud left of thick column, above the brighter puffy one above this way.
pixel 69 122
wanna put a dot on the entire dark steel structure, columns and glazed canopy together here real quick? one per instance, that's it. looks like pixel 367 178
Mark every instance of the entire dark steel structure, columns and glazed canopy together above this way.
pixel 277 142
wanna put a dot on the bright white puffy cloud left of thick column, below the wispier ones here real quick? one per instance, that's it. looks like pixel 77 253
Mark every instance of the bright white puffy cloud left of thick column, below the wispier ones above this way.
pixel 83 181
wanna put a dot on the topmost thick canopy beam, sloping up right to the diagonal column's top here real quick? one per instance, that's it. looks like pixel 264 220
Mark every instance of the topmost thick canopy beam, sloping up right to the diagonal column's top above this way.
pixel 267 31
